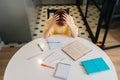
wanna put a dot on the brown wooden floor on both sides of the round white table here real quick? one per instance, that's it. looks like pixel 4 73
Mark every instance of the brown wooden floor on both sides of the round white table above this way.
pixel 7 53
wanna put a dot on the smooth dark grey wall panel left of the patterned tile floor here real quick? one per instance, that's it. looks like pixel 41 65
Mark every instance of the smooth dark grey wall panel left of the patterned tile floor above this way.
pixel 14 25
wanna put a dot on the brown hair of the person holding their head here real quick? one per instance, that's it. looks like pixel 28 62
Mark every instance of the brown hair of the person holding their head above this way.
pixel 60 12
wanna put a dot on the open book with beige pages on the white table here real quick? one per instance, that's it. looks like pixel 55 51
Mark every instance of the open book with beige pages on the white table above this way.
pixel 76 49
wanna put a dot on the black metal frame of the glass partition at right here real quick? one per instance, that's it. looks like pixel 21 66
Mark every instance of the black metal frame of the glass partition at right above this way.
pixel 106 15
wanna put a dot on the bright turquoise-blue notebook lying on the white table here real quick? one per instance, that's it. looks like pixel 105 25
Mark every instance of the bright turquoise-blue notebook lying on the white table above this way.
pixel 95 65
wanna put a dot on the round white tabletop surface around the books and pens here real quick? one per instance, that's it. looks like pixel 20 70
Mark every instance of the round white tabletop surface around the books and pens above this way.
pixel 25 64
